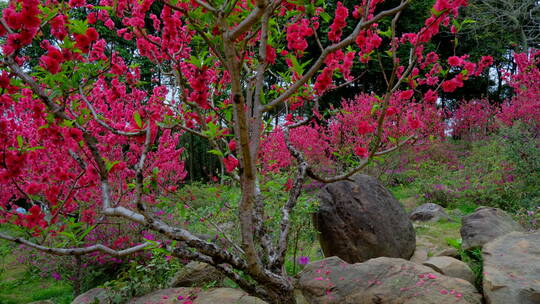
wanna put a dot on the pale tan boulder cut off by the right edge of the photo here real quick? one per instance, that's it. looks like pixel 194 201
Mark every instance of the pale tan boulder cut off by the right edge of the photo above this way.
pixel 512 269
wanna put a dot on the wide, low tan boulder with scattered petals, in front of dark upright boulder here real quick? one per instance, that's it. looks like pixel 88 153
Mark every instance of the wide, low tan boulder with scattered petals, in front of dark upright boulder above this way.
pixel 383 281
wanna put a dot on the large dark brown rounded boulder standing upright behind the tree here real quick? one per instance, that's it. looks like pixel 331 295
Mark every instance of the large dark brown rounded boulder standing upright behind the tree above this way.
pixel 360 219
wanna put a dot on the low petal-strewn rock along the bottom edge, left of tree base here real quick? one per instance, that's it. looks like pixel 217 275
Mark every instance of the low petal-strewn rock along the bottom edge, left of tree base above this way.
pixel 198 296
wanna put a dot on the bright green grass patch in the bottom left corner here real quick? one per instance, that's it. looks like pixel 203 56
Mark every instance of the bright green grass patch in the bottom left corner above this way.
pixel 18 285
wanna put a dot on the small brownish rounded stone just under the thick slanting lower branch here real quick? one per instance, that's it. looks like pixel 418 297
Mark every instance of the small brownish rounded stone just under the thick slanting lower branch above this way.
pixel 197 274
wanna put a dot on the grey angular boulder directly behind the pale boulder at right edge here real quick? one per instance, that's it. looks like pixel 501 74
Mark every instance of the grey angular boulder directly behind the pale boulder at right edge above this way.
pixel 484 225
